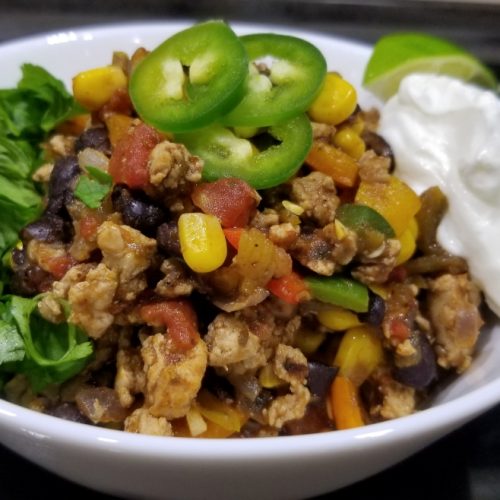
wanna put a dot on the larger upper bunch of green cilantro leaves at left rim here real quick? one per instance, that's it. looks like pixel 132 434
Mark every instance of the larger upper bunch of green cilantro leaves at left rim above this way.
pixel 27 114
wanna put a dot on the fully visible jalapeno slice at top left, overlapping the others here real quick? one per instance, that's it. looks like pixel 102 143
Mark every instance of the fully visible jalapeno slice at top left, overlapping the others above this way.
pixel 191 79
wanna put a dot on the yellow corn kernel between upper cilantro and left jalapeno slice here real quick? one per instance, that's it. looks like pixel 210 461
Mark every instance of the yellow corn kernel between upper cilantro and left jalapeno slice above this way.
pixel 93 88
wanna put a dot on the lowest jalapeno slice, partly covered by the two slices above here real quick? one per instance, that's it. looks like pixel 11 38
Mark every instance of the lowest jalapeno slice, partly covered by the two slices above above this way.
pixel 261 163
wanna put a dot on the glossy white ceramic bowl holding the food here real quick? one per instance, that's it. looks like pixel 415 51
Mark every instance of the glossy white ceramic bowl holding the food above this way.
pixel 131 465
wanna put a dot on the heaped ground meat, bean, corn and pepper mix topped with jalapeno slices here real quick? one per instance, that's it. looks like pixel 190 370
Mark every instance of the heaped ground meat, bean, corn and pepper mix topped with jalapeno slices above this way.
pixel 161 292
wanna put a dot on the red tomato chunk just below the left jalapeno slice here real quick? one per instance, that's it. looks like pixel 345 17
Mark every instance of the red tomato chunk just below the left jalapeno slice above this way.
pixel 129 162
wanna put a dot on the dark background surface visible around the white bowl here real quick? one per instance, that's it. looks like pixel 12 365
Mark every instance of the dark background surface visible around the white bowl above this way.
pixel 466 464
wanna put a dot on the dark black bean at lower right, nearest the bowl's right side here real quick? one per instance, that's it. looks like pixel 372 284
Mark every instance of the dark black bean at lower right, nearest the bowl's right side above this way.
pixel 422 369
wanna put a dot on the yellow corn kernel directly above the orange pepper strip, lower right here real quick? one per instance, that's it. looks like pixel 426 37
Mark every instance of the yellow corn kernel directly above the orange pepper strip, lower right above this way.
pixel 360 352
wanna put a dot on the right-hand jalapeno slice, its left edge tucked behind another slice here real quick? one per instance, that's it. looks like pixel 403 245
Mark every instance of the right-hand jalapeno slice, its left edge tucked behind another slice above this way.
pixel 285 88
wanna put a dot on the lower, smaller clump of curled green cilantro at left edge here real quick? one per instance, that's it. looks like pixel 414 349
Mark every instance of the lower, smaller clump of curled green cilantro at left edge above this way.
pixel 45 352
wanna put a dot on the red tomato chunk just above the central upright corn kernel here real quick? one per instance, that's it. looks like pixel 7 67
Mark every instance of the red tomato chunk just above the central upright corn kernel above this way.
pixel 231 200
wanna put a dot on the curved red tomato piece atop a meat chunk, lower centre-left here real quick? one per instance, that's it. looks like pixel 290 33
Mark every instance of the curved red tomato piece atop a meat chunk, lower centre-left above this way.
pixel 178 317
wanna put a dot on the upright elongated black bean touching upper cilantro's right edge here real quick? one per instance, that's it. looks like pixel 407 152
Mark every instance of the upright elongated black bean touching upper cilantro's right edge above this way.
pixel 62 183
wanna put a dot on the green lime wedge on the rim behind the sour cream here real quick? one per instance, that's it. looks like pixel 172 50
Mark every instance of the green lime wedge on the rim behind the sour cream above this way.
pixel 400 54
